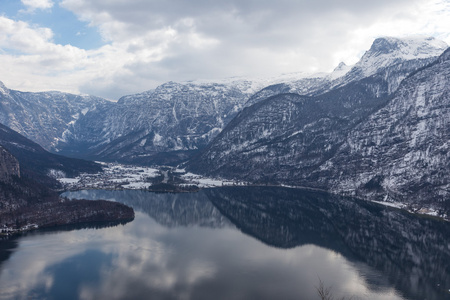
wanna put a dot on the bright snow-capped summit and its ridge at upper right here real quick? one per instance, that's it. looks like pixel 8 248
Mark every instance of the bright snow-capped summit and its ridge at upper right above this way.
pixel 394 57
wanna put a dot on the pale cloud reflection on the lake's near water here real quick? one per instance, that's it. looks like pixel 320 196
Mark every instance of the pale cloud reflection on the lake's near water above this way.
pixel 143 259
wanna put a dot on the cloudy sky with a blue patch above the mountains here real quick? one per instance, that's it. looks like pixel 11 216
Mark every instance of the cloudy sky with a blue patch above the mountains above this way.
pixel 111 48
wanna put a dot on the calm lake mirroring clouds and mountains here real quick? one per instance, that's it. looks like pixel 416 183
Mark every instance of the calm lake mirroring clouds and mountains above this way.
pixel 233 243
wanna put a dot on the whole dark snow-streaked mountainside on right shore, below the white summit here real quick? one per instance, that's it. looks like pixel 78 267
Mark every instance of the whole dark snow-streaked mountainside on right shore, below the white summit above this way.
pixel 359 139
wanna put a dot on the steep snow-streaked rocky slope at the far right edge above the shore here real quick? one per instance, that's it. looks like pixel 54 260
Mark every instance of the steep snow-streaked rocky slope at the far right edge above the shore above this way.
pixel 402 150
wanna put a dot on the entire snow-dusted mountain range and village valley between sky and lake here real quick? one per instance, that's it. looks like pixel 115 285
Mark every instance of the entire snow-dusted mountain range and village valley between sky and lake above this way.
pixel 378 130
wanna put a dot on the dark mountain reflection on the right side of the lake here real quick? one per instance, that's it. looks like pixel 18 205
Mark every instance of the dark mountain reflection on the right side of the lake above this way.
pixel 413 252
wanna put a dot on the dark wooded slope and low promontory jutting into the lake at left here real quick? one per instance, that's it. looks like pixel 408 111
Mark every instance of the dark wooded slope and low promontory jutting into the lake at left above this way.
pixel 26 203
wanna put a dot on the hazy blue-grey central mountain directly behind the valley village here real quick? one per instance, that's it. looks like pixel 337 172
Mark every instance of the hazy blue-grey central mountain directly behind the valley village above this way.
pixel 172 118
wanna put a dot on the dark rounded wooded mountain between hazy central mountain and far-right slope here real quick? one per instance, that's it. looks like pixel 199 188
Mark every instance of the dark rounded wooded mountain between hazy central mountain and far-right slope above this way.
pixel 286 137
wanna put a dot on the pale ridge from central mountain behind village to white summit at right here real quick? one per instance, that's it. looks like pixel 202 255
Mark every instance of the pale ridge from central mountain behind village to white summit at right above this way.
pixel 173 121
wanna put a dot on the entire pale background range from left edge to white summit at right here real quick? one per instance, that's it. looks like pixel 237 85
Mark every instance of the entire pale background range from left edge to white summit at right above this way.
pixel 173 121
